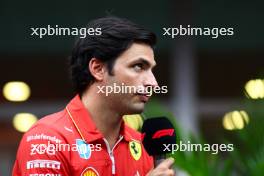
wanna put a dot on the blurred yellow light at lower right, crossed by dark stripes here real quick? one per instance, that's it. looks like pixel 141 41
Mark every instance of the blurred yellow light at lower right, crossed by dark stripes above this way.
pixel 235 120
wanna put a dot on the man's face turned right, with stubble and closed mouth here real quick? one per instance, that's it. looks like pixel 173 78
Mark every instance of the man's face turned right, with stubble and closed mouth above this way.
pixel 133 68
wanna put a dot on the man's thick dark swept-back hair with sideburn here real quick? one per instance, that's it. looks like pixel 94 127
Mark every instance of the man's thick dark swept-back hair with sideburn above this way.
pixel 117 35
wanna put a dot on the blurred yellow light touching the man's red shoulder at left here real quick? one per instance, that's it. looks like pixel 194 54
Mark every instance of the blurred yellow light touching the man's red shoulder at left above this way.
pixel 23 121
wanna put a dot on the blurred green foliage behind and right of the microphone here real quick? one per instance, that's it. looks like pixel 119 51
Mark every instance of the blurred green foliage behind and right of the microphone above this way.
pixel 247 159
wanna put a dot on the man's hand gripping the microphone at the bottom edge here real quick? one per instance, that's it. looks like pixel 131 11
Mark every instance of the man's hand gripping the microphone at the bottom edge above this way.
pixel 163 169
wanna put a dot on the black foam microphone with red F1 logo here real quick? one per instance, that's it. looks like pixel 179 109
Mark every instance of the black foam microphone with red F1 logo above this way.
pixel 157 133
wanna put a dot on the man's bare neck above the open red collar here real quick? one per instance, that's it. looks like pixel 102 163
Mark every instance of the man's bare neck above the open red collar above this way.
pixel 106 120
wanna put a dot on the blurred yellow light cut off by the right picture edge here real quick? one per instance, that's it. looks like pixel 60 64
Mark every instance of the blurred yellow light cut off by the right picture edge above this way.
pixel 255 88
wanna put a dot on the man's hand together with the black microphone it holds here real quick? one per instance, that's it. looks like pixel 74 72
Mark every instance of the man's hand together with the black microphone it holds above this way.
pixel 159 132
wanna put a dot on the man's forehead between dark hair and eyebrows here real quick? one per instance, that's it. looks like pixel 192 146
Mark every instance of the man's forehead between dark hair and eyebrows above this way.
pixel 136 52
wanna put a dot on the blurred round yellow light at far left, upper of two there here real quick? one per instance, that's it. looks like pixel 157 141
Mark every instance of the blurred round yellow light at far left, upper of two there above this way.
pixel 16 91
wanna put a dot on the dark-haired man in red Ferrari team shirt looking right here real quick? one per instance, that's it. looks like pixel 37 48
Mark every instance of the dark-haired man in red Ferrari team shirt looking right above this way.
pixel 89 137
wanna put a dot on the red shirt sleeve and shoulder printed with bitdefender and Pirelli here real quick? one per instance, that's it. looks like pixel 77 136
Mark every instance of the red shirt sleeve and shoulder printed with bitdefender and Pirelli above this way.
pixel 40 145
